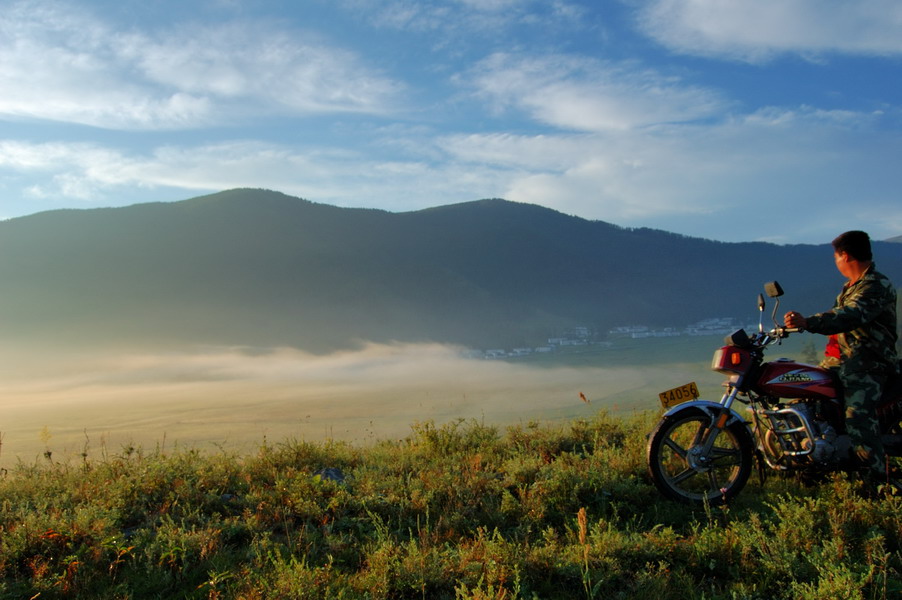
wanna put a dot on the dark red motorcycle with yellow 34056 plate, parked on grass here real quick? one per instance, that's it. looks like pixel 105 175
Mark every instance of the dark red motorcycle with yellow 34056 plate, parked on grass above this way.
pixel 703 451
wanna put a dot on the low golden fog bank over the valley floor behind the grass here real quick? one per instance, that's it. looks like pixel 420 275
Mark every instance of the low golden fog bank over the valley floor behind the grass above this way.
pixel 237 398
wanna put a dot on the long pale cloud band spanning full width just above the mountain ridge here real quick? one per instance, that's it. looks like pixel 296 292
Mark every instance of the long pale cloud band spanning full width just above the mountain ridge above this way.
pixel 675 176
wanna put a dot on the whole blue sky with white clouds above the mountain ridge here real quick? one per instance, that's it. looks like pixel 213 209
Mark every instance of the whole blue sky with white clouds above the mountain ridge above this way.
pixel 776 120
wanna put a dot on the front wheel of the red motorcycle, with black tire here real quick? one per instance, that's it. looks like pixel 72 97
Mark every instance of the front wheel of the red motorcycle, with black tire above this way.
pixel 682 475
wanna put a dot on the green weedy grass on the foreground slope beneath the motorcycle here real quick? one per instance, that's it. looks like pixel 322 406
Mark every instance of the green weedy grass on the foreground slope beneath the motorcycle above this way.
pixel 461 510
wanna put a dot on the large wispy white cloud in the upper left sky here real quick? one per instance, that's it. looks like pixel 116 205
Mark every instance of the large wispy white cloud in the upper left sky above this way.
pixel 63 65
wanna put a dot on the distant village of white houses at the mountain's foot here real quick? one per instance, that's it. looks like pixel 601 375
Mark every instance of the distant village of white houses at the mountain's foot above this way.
pixel 585 336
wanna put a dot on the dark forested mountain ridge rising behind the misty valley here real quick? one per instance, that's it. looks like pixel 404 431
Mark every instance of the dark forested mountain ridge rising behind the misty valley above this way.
pixel 254 267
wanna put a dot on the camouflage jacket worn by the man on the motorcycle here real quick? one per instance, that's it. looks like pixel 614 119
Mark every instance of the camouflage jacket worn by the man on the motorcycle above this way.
pixel 864 317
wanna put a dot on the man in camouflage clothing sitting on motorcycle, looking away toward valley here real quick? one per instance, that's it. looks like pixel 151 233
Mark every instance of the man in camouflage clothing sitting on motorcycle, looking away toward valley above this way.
pixel 862 323
